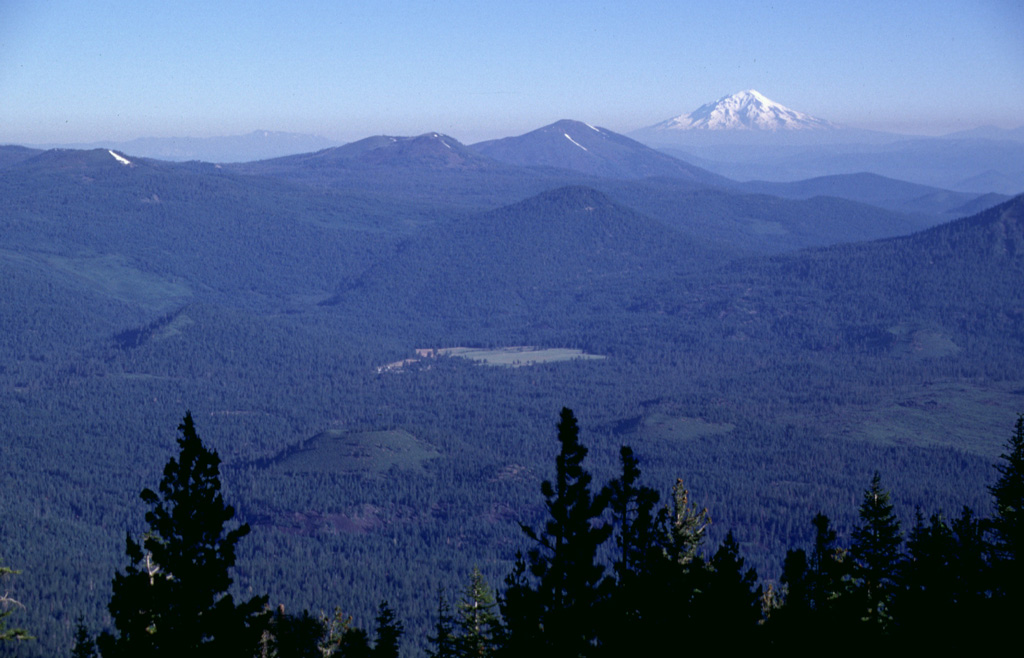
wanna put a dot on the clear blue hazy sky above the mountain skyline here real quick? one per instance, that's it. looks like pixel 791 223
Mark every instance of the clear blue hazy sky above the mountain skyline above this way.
pixel 74 71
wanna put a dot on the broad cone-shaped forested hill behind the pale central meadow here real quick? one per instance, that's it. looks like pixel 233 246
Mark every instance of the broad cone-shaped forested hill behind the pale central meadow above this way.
pixel 565 253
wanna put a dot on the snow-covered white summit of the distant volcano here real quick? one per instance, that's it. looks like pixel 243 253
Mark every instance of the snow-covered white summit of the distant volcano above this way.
pixel 746 111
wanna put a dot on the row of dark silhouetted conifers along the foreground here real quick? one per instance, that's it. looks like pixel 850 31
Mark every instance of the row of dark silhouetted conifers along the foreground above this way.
pixel 611 573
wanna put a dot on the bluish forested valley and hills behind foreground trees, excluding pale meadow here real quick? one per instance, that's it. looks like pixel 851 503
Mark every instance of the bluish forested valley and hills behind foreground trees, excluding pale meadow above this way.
pixel 775 384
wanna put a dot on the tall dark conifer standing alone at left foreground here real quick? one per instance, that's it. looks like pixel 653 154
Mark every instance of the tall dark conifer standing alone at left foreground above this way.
pixel 173 600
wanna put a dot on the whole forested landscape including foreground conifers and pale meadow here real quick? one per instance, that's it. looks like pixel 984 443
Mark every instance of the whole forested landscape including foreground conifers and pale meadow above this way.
pixel 790 416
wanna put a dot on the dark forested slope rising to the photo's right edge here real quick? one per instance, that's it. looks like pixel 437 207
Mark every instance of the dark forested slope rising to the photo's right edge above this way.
pixel 962 277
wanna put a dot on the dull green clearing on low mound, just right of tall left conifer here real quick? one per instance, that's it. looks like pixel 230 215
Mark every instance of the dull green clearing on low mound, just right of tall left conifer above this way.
pixel 338 452
